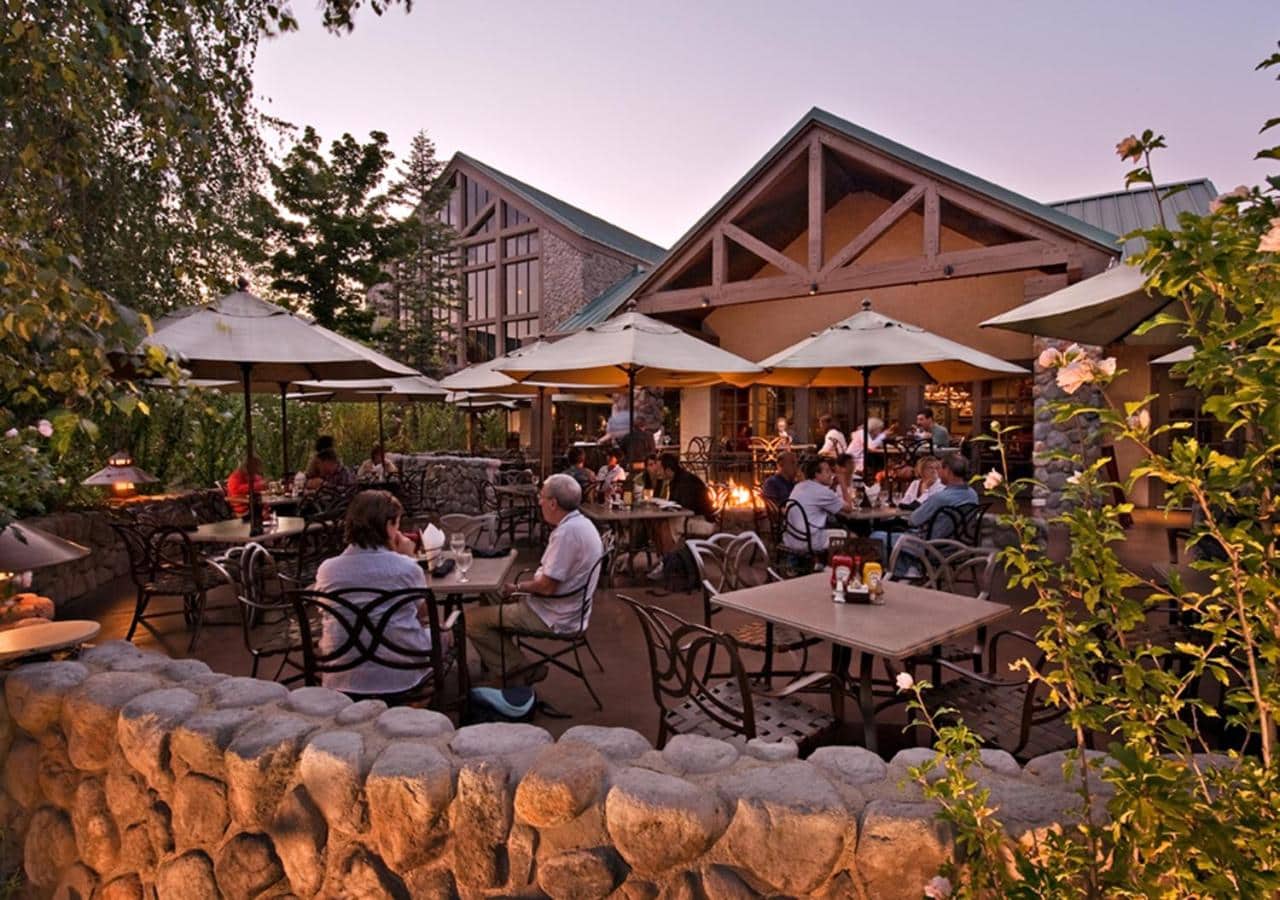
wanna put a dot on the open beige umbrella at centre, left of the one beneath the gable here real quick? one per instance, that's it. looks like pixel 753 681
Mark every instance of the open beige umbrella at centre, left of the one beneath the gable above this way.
pixel 629 351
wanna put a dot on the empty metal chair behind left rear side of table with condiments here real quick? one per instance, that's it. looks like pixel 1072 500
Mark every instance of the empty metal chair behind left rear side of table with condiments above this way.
pixel 735 561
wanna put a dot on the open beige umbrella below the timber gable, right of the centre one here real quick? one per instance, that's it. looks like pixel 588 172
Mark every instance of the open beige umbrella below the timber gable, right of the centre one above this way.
pixel 885 351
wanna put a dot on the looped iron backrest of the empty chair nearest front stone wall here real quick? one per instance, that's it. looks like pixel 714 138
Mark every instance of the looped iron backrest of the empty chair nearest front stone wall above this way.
pixel 682 655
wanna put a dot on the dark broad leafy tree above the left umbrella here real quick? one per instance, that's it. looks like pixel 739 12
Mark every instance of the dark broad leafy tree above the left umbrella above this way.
pixel 330 235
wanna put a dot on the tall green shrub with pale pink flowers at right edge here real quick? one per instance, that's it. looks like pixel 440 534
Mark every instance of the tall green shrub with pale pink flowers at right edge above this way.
pixel 1177 824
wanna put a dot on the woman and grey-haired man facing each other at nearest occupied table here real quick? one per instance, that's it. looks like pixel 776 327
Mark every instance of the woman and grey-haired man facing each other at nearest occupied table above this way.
pixel 380 558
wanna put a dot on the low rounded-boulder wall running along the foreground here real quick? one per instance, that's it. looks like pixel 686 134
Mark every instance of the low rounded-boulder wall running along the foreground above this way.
pixel 132 775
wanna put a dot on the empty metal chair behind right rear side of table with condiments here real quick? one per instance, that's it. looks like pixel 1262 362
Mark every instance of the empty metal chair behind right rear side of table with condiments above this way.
pixel 956 569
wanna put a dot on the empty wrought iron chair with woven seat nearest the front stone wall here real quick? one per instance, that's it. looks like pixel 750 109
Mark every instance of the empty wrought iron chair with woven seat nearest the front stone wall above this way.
pixel 691 701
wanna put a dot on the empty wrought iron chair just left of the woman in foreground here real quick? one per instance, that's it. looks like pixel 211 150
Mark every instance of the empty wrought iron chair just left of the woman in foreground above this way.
pixel 267 618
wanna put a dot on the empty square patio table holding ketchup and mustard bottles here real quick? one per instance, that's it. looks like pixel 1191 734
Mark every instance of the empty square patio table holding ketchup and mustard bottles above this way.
pixel 911 622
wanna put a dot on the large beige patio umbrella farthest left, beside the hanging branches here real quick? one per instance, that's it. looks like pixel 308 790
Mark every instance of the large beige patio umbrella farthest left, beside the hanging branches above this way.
pixel 243 337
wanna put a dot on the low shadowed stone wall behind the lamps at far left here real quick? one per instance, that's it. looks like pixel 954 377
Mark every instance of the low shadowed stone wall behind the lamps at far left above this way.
pixel 108 561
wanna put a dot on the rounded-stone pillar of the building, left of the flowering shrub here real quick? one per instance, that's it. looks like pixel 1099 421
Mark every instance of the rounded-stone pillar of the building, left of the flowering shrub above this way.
pixel 1081 436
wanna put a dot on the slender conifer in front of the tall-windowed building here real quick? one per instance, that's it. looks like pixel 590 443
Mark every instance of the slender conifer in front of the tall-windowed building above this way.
pixel 422 296
